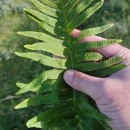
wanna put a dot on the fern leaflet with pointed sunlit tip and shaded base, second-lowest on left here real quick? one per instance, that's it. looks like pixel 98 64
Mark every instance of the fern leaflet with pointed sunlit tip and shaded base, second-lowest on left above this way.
pixel 47 99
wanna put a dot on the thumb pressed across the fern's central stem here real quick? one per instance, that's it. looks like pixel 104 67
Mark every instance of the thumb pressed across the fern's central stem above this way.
pixel 92 86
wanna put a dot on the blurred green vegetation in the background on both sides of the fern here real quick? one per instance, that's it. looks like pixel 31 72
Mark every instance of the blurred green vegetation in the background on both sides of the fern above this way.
pixel 13 68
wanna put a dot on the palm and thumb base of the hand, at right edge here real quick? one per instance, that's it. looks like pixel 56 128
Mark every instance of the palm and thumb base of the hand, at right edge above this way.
pixel 116 100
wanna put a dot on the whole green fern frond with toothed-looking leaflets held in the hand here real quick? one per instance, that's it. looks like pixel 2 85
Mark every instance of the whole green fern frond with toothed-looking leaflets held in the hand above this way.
pixel 65 108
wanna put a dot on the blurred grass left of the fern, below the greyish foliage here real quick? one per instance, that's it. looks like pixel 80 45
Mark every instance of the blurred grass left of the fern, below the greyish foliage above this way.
pixel 13 69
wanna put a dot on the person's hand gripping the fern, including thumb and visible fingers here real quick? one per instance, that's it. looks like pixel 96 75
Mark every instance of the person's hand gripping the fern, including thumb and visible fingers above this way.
pixel 112 94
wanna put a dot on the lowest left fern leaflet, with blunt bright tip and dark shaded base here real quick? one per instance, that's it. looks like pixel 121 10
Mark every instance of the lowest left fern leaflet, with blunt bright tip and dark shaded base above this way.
pixel 52 114
